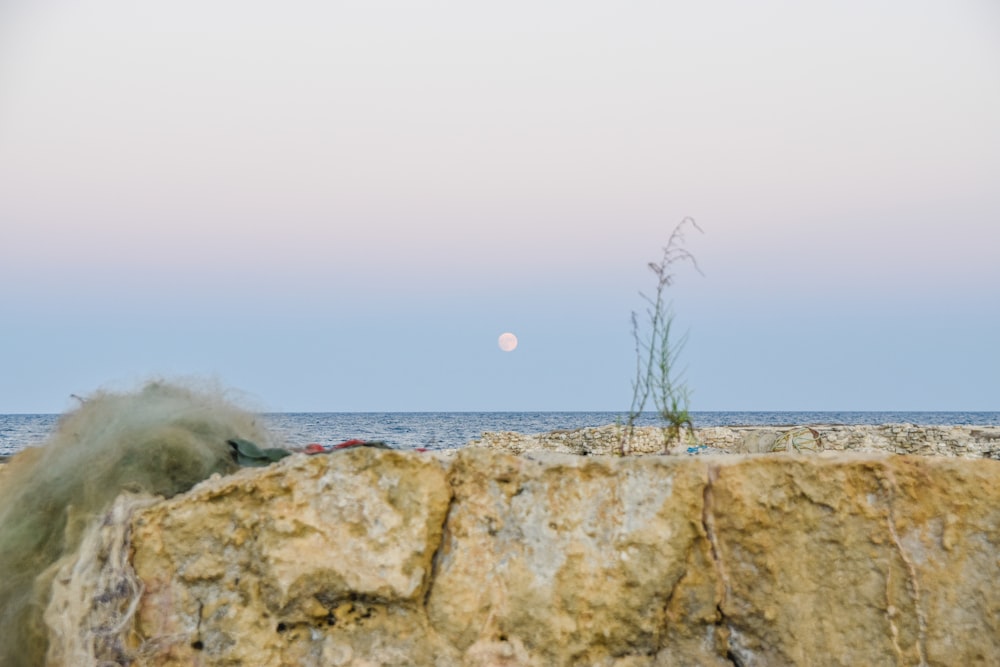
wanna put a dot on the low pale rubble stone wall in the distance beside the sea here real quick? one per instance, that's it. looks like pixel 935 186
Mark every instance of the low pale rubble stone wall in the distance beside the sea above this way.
pixel 961 441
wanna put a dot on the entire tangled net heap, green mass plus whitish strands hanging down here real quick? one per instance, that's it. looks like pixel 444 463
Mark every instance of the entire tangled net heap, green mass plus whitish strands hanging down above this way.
pixel 62 532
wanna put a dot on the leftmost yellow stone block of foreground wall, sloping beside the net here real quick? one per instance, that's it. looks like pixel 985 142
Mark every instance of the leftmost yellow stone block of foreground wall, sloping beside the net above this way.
pixel 320 560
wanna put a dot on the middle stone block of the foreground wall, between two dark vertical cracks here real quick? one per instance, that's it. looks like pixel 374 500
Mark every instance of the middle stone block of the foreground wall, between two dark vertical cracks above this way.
pixel 575 560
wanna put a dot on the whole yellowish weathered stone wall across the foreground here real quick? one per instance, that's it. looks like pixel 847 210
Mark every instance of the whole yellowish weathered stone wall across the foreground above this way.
pixel 371 557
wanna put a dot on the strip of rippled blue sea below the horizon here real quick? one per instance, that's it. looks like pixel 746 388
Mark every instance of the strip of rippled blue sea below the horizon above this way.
pixel 446 430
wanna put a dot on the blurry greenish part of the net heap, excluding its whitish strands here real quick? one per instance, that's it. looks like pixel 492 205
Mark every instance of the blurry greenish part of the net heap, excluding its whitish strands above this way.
pixel 160 440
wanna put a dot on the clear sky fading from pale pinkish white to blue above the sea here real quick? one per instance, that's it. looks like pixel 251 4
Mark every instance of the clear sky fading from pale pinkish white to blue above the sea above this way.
pixel 339 206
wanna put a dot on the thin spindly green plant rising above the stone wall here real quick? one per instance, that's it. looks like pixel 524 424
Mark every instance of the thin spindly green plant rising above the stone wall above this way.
pixel 657 351
